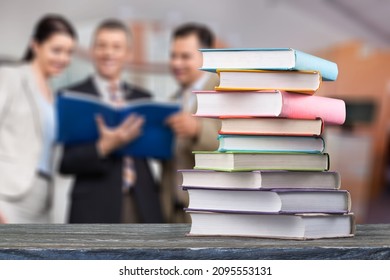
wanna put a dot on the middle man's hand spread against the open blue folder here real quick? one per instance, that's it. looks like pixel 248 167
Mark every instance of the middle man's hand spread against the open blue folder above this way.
pixel 113 138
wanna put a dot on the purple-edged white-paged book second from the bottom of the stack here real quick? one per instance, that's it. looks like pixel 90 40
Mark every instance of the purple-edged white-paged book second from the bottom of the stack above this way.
pixel 269 201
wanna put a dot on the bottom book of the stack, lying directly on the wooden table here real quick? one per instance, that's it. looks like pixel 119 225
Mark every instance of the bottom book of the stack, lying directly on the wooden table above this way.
pixel 298 226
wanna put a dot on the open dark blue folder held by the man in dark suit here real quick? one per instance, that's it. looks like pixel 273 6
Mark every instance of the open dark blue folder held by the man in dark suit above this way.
pixel 76 114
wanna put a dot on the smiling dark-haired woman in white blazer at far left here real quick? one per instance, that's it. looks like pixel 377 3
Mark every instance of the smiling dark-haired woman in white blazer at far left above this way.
pixel 28 125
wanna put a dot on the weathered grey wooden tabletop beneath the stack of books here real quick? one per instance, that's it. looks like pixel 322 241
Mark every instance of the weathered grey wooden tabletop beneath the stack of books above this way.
pixel 168 241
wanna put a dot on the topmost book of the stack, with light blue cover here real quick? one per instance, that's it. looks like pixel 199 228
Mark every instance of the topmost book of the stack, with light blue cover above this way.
pixel 267 59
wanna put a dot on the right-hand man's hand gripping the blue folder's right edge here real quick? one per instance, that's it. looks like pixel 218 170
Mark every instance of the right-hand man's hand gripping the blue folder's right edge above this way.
pixel 184 125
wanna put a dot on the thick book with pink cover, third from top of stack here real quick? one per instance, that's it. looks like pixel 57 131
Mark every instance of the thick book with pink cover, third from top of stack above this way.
pixel 270 104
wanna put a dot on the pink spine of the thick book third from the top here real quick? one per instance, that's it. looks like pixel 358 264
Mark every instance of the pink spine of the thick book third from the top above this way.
pixel 298 106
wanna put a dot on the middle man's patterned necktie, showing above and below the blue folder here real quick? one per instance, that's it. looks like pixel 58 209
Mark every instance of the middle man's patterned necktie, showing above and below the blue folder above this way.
pixel 129 174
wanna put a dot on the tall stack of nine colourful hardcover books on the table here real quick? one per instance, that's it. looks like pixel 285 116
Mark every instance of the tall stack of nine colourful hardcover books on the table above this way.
pixel 269 177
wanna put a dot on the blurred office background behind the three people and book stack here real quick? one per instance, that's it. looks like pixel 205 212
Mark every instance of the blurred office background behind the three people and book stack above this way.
pixel 354 34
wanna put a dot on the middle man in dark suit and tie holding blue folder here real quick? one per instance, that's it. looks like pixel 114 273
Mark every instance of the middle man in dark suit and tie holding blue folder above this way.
pixel 109 188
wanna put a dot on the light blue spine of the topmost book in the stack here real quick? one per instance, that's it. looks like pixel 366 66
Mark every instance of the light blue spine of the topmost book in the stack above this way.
pixel 304 61
